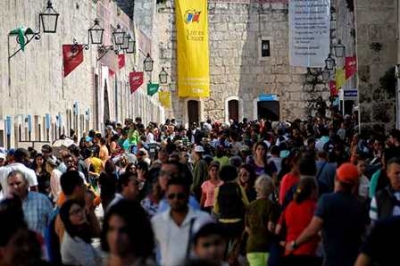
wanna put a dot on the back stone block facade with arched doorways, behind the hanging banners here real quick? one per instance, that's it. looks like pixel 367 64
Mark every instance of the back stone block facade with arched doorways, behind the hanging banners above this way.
pixel 240 75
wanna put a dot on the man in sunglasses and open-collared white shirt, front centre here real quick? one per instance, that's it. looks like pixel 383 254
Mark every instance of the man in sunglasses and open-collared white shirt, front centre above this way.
pixel 174 228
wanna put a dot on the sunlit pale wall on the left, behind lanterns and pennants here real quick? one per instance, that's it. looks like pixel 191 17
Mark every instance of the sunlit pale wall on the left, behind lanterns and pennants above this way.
pixel 34 95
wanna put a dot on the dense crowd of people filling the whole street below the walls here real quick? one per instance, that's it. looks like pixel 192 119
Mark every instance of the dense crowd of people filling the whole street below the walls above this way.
pixel 313 192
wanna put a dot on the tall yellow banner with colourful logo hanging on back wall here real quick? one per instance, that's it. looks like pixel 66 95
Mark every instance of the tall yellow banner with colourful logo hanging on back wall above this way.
pixel 192 48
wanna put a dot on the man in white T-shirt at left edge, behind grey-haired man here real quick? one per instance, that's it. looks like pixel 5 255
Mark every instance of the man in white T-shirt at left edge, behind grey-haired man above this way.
pixel 20 156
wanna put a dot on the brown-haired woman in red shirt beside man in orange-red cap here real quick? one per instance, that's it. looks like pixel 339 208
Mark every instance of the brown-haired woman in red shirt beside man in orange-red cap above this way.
pixel 295 218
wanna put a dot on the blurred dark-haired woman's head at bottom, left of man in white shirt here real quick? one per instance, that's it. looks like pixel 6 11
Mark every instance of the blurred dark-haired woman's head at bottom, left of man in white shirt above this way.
pixel 127 235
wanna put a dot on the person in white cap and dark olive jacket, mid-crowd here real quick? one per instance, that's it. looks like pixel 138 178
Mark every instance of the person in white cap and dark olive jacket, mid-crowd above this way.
pixel 200 171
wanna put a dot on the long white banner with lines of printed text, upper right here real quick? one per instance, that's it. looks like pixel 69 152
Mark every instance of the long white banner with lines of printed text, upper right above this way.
pixel 309 32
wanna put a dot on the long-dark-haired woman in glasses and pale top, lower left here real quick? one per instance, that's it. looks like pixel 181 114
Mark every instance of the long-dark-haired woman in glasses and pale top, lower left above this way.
pixel 76 247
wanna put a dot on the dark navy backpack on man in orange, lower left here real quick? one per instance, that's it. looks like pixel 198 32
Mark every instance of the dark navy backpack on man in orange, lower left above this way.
pixel 52 240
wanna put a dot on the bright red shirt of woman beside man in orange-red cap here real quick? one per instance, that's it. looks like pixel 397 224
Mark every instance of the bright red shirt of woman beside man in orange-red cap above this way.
pixel 296 217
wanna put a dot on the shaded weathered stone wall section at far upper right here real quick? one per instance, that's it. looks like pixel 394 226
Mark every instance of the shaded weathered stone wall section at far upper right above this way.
pixel 377 47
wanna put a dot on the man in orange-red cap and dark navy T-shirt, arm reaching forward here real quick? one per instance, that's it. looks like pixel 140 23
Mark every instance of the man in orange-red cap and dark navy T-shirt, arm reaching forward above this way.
pixel 341 218
